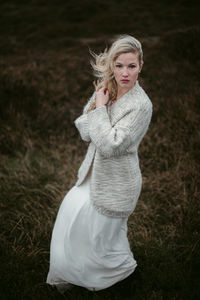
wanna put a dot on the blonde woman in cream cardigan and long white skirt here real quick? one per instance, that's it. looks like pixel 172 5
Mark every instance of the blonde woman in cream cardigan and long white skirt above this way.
pixel 89 244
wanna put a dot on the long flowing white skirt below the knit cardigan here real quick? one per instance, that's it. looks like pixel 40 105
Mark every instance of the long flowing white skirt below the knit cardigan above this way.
pixel 88 249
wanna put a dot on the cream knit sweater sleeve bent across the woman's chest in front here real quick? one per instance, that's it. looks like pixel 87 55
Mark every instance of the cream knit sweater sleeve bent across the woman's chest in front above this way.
pixel 129 131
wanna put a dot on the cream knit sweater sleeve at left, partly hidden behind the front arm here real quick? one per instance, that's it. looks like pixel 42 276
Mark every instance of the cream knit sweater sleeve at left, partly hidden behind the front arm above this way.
pixel 81 122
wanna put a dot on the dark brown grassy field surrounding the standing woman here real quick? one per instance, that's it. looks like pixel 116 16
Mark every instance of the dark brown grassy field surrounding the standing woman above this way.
pixel 45 79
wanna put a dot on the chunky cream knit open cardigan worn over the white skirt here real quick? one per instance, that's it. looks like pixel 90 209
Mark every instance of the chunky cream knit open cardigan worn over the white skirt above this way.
pixel 114 133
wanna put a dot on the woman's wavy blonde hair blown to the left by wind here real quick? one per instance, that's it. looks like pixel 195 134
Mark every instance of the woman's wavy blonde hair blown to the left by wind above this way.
pixel 103 64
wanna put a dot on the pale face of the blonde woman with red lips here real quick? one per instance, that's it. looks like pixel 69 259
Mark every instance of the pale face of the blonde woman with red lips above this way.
pixel 126 69
